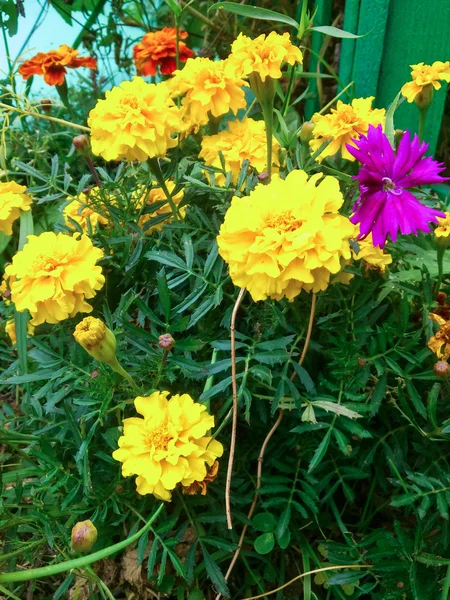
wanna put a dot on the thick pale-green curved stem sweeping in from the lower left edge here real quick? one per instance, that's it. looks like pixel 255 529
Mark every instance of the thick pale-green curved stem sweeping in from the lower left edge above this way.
pixel 80 562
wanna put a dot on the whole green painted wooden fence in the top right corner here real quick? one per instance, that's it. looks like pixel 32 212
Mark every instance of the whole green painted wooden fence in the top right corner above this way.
pixel 400 33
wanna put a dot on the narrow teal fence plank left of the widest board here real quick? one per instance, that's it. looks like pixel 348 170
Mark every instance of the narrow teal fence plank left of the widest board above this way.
pixel 373 16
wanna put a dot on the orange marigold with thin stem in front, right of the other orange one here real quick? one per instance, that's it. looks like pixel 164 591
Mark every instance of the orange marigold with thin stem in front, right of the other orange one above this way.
pixel 158 48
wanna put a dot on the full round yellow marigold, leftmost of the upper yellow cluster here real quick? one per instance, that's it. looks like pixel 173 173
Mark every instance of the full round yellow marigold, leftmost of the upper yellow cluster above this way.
pixel 135 121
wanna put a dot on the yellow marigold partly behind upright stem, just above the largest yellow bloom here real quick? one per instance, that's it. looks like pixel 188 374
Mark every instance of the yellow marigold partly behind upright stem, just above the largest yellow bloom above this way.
pixel 243 140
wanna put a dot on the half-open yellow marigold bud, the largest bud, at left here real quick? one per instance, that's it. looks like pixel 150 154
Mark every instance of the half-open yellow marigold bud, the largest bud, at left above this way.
pixel 96 339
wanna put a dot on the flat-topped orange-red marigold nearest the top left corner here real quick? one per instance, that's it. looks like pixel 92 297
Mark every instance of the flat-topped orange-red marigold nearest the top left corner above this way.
pixel 53 65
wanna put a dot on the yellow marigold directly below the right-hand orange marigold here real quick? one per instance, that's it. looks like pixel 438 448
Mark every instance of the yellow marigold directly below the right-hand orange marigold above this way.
pixel 209 87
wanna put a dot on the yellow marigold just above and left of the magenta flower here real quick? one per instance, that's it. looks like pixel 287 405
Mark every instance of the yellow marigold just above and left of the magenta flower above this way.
pixel 344 123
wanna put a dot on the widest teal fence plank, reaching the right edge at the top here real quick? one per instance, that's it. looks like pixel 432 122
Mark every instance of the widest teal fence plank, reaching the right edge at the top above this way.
pixel 418 34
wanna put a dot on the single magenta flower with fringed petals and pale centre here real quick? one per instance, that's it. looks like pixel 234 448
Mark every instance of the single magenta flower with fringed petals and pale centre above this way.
pixel 385 206
